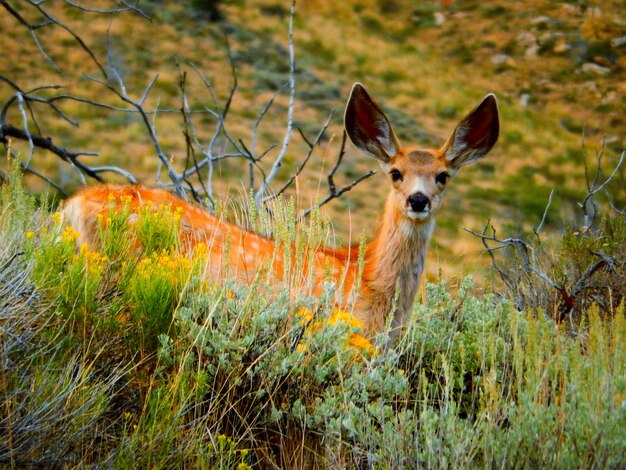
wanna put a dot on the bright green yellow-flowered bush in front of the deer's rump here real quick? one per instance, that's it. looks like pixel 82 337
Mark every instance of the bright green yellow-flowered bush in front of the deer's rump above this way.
pixel 136 276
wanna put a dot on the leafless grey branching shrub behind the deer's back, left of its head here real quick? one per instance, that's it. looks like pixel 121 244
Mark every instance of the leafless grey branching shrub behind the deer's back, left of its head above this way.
pixel 21 111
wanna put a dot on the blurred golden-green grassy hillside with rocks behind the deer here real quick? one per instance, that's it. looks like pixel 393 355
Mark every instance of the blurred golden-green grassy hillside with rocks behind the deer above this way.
pixel 428 64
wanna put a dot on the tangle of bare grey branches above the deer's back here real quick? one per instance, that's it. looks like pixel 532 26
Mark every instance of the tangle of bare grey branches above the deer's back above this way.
pixel 27 103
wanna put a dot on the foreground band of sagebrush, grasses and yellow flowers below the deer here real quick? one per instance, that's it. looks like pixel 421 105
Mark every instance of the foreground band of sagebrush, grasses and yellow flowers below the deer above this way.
pixel 125 357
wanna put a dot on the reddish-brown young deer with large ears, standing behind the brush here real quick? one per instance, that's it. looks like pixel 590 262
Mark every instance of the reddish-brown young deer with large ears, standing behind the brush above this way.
pixel 394 259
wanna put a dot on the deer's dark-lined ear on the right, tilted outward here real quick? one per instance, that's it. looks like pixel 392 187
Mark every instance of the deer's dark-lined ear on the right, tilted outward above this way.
pixel 475 135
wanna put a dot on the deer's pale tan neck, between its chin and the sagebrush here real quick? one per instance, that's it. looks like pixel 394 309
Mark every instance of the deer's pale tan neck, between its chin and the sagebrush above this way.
pixel 396 260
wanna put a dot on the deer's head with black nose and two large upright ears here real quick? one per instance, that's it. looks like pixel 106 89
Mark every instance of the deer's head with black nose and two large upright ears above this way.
pixel 419 176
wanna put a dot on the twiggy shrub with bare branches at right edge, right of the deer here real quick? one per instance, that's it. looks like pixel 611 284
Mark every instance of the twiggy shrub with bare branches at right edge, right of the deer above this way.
pixel 587 268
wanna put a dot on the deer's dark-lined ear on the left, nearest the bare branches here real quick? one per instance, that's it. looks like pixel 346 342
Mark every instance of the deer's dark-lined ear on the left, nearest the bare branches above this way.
pixel 368 127
